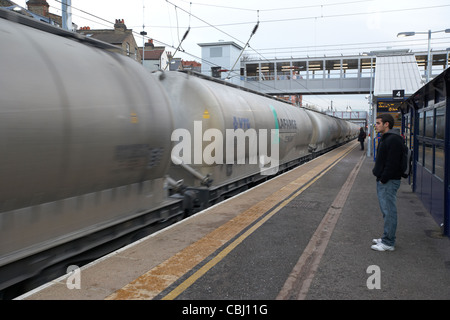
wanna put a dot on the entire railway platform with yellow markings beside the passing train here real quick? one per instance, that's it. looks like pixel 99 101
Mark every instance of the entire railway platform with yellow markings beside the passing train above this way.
pixel 304 235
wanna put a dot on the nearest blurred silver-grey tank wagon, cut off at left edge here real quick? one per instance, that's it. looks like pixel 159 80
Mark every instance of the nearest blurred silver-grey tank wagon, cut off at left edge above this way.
pixel 81 143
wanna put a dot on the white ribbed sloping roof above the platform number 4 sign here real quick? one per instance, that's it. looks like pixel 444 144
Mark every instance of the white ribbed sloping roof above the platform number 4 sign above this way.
pixel 396 72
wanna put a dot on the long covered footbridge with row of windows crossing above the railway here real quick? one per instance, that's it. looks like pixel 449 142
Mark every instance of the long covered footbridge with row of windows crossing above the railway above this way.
pixel 353 74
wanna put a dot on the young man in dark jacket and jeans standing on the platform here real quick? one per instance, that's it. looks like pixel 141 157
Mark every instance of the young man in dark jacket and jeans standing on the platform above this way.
pixel 387 169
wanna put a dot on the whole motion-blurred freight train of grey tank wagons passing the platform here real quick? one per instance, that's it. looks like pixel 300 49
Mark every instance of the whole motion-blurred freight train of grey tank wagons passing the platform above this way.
pixel 87 144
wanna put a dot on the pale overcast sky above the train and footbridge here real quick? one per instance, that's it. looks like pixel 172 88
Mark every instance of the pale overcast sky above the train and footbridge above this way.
pixel 287 28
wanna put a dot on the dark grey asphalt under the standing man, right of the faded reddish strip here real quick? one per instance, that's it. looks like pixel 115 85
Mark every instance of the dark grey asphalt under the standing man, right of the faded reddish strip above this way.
pixel 419 268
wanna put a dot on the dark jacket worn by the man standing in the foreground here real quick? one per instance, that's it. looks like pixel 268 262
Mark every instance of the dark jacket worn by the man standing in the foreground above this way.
pixel 389 156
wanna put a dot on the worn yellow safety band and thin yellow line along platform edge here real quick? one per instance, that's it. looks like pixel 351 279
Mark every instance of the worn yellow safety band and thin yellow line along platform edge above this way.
pixel 152 283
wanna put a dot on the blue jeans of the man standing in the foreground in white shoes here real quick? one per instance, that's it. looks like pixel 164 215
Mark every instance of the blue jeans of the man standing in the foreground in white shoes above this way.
pixel 387 197
